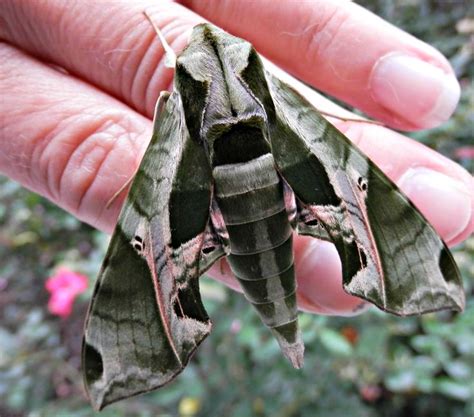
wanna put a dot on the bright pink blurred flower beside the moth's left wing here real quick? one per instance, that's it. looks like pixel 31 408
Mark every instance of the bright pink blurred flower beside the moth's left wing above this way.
pixel 64 286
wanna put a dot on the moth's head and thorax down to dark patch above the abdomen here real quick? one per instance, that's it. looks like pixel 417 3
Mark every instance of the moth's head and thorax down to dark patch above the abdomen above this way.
pixel 218 103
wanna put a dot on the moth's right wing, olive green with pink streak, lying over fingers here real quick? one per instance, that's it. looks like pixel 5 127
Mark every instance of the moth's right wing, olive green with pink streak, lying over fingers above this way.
pixel 391 256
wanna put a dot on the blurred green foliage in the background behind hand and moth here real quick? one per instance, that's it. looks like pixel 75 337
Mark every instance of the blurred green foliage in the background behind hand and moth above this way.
pixel 371 365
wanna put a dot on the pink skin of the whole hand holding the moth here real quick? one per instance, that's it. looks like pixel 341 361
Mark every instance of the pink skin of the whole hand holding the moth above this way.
pixel 79 81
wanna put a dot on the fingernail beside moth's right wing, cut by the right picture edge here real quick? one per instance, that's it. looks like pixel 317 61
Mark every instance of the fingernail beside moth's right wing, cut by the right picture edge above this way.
pixel 445 202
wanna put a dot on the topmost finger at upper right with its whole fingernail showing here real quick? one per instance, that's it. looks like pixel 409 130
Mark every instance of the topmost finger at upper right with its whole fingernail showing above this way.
pixel 348 52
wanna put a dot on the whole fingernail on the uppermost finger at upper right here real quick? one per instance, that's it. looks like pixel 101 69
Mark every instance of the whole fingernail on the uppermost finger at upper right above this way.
pixel 415 90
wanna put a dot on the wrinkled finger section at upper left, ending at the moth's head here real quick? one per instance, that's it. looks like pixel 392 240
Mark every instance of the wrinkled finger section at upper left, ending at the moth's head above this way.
pixel 110 45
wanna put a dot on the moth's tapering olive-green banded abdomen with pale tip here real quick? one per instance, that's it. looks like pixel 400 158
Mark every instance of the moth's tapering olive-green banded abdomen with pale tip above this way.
pixel 250 197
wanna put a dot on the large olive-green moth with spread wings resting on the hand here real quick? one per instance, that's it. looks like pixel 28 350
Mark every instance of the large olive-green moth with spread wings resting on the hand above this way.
pixel 238 161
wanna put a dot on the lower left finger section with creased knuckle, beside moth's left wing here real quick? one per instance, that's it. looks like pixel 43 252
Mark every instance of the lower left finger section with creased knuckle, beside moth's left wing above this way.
pixel 65 139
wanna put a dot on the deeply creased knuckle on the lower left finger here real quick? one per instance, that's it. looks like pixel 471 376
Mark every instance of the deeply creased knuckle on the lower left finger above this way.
pixel 81 159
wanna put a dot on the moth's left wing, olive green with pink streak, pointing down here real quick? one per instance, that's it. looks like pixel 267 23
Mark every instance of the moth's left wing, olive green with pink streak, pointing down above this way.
pixel 146 317
